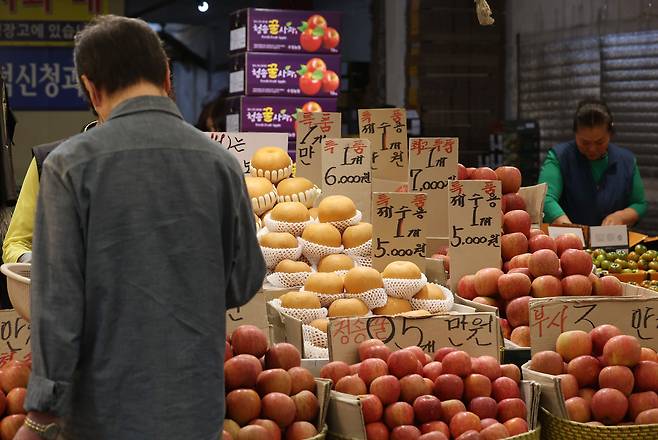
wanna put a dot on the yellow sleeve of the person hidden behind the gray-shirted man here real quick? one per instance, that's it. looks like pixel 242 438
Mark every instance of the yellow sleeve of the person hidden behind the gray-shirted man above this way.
pixel 18 240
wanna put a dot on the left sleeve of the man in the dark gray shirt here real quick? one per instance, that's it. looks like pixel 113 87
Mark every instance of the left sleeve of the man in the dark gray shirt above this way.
pixel 57 296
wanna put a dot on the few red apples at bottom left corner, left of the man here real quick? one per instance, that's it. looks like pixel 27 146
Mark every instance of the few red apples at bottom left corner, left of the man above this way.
pixel 14 377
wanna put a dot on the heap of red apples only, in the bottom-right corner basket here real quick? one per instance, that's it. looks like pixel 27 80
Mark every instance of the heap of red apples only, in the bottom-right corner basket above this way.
pixel 606 377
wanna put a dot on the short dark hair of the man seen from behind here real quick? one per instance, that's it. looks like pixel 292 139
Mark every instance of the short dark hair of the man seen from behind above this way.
pixel 116 52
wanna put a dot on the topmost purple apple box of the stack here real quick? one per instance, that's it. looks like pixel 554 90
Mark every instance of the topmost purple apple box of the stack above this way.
pixel 284 30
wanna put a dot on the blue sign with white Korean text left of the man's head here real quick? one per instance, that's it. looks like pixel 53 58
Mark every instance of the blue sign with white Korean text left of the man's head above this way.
pixel 41 78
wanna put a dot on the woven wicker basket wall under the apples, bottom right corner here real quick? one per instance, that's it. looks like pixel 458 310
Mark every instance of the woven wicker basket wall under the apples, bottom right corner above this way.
pixel 555 428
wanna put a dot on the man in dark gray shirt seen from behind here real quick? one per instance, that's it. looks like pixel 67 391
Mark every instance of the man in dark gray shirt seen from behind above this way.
pixel 144 237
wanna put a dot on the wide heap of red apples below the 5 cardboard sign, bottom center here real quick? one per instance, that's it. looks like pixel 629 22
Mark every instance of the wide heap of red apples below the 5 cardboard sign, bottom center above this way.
pixel 406 394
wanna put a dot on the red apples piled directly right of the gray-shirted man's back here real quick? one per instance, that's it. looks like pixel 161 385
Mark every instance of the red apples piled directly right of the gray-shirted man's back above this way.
pixel 268 394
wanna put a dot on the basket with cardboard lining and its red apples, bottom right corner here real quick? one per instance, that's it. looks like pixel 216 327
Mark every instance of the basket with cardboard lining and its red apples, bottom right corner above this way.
pixel 598 379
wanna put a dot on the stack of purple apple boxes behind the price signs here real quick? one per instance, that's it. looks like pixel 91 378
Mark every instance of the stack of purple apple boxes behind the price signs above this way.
pixel 283 62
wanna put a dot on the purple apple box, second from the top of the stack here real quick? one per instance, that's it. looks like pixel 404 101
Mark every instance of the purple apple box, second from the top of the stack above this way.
pixel 285 74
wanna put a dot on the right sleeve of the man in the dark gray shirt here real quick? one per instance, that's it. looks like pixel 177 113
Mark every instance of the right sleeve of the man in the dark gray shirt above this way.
pixel 248 267
